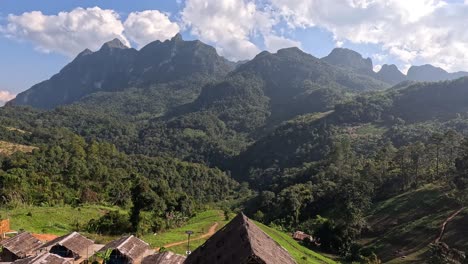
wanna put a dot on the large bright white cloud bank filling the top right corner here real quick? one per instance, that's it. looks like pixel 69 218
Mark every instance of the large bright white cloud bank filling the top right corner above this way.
pixel 425 31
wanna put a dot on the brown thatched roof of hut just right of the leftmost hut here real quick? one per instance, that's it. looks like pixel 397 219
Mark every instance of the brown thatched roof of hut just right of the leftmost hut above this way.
pixel 74 242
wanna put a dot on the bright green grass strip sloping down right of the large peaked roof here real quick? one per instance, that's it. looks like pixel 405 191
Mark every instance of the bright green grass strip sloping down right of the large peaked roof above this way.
pixel 301 254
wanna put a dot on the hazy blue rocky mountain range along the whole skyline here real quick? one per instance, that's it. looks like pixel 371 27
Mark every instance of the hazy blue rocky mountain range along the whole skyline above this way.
pixel 116 67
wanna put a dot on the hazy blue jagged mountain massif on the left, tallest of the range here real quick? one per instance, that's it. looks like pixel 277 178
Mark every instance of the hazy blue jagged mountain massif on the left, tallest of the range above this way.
pixel 116 67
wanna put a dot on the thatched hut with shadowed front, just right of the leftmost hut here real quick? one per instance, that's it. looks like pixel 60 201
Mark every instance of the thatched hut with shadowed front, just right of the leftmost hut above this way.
pixel 73 246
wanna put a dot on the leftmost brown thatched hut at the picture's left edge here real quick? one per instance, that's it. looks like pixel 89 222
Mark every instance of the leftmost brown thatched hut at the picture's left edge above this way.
pixel 20 246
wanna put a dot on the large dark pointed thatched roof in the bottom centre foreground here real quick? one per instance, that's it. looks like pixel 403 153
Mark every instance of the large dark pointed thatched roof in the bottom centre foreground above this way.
pixel 237 243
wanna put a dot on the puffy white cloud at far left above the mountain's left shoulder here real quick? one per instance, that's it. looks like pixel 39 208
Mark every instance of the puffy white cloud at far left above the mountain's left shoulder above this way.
pixel 67 33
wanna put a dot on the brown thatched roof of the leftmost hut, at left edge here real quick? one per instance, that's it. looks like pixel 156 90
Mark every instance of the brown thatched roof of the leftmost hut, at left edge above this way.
pixel 22 245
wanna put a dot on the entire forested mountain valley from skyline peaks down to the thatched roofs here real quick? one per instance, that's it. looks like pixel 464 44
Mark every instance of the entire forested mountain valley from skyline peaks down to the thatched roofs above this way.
pixel 173 136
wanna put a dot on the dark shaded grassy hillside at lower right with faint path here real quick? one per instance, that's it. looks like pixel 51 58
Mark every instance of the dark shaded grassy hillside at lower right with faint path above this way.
pixel 406 224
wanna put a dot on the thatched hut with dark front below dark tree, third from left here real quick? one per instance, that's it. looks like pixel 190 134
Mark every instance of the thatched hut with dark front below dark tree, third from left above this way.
pixel 127 250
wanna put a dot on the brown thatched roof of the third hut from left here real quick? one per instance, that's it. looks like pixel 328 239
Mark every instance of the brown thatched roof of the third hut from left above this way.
pixel 130 246
